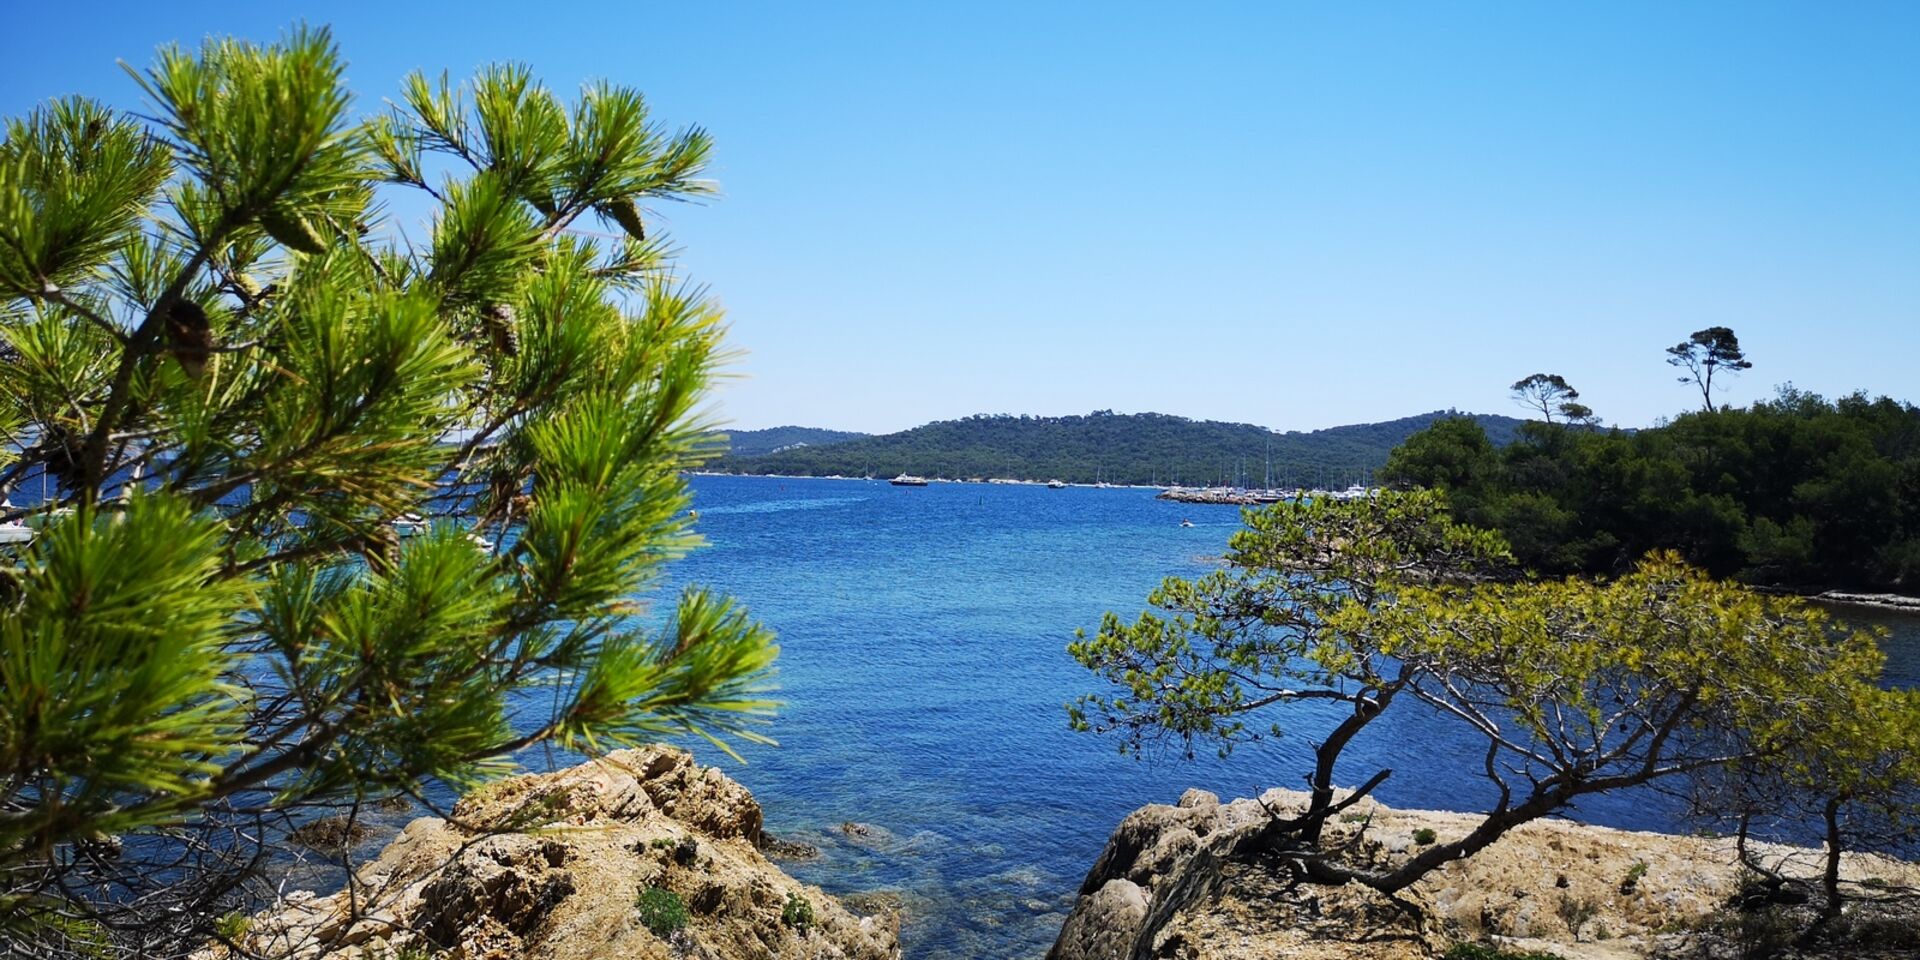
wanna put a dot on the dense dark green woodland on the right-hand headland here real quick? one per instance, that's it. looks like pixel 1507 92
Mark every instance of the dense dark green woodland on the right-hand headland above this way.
pixel 1792 492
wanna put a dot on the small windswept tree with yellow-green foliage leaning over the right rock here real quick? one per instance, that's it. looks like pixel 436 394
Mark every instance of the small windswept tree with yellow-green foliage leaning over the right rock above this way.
pixel 1577 686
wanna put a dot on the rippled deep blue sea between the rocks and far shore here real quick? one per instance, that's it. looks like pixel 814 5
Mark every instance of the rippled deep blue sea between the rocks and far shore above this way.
pixel 924 740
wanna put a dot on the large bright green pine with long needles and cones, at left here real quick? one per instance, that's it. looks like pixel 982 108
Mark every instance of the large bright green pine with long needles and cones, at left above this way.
pixel 341 506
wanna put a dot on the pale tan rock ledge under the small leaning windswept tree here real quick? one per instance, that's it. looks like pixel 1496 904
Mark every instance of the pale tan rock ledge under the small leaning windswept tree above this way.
pixel 1186 882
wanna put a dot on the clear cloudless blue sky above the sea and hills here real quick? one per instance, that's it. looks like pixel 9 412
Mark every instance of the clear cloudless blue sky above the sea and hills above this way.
pixel 1284 214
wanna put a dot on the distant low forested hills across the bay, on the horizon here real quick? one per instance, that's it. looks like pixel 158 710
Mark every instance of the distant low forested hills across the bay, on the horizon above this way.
pixel 1143 448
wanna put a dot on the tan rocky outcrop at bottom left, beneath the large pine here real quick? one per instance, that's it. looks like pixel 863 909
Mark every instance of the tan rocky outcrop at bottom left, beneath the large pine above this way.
pixel 552 867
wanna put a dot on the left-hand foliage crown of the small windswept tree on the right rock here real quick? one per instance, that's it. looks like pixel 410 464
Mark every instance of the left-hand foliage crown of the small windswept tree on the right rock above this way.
pixel 1293 617
